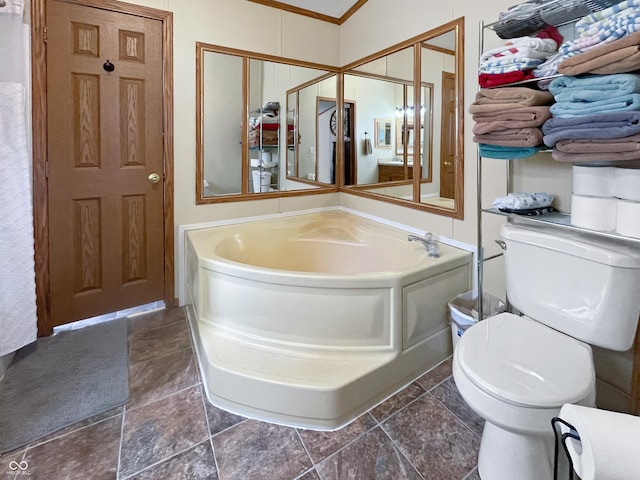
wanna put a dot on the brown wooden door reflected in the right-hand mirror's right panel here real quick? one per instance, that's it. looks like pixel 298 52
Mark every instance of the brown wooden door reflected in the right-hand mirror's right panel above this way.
pixel 448 136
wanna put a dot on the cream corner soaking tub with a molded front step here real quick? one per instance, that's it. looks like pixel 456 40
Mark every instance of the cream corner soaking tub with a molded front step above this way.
pixel 310 320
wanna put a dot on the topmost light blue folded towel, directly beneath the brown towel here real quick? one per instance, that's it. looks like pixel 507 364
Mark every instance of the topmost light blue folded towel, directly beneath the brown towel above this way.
pixel 590 88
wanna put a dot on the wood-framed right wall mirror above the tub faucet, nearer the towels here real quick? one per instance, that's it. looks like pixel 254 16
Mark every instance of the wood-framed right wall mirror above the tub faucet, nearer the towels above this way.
pixel 425 164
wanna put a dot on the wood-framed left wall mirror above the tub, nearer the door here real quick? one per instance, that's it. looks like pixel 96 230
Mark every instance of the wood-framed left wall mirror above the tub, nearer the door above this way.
pixel 257 130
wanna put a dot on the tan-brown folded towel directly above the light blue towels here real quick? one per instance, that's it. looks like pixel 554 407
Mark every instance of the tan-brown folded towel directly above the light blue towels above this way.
pixel 619 56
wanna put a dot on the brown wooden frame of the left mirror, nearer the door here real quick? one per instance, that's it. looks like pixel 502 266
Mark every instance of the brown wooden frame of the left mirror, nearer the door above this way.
pixel 246 56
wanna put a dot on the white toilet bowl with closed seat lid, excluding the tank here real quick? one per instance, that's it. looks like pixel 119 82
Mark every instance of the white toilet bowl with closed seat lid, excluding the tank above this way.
pixel 517 374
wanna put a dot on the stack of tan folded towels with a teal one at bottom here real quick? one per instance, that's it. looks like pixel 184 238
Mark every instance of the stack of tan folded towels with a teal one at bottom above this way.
pixel 510 118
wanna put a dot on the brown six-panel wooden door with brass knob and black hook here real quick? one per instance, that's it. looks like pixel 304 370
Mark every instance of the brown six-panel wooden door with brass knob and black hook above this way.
pixel 105 143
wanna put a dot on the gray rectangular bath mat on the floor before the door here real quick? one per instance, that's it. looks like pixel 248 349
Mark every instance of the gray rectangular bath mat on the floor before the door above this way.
pixel 59 380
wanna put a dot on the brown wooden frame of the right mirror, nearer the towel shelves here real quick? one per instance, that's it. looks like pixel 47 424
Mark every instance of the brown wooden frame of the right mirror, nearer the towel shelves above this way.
pixel 457 26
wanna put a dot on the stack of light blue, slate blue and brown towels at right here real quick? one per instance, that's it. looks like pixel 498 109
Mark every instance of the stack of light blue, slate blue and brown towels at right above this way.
pixel 596 118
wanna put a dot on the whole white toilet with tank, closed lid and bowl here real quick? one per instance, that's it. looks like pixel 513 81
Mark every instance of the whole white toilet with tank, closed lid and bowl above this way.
pixel 518 371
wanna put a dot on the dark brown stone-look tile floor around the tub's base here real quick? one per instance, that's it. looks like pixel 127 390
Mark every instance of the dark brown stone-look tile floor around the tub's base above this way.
pixel 168 430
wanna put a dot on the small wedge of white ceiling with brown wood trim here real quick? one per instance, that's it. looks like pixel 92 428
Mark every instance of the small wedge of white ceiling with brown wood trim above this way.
pixel 333 11
